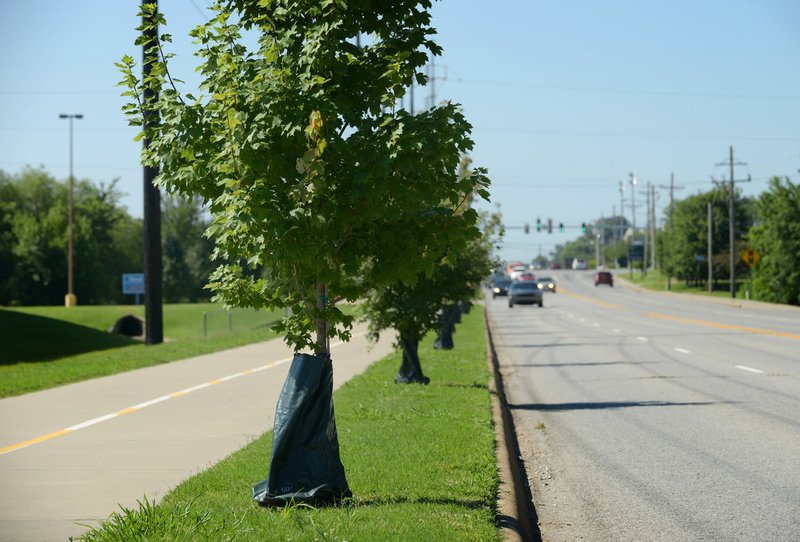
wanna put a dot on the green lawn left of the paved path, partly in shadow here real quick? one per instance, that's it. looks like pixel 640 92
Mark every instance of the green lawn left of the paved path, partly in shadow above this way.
pixel 45 347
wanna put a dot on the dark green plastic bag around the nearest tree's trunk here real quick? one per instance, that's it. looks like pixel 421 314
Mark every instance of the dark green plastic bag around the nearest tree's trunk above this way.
pixel 305 465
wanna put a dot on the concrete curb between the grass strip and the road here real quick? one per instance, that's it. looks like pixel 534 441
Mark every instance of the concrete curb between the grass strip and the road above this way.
pixel 515 513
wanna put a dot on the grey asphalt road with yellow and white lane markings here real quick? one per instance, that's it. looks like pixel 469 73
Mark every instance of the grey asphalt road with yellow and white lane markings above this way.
pixel 654 417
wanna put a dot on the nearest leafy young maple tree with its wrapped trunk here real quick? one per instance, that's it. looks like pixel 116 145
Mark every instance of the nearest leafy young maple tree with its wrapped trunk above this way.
pixel 309 170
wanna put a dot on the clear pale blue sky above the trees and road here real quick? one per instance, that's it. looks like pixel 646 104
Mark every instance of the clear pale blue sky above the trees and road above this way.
pixel 566 99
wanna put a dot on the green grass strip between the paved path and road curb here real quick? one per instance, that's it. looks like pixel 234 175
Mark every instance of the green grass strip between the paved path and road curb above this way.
pixel 420 461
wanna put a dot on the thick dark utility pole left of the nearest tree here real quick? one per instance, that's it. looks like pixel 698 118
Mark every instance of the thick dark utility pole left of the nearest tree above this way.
pixel 153 309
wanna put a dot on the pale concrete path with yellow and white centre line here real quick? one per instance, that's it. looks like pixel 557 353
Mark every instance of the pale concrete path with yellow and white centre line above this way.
pixel 69 455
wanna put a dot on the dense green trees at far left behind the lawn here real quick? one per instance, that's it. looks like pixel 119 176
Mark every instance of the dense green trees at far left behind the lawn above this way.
pixel 107 243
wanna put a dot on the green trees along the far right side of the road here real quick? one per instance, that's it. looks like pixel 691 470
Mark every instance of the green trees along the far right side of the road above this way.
pixel 768 224
